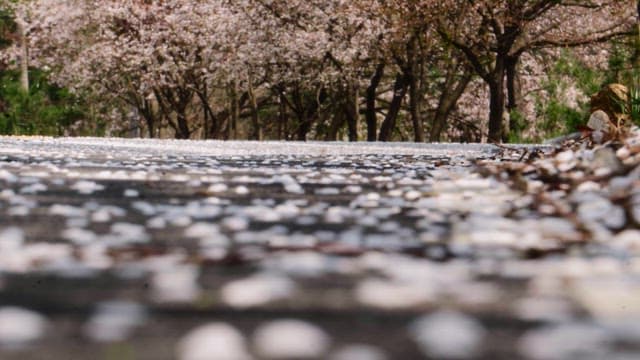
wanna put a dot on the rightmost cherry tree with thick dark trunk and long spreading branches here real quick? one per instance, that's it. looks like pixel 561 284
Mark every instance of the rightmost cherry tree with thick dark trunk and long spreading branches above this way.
pixel 493 34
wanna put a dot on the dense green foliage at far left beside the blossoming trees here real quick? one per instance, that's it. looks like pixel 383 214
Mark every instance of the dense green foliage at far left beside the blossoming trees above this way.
pixel 45 110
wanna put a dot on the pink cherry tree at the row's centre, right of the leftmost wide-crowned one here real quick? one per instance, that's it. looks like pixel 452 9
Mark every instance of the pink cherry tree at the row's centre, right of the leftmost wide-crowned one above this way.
pixel 319 51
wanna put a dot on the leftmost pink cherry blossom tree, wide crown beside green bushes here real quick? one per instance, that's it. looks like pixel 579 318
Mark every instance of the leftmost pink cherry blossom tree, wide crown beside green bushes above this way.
pixel 156 57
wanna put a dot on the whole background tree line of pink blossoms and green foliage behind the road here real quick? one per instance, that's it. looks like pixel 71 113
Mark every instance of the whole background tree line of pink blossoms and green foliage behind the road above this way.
pixel 396 70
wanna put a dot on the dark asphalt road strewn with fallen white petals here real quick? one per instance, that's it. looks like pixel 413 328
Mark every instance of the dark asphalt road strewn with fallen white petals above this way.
pixel 141 249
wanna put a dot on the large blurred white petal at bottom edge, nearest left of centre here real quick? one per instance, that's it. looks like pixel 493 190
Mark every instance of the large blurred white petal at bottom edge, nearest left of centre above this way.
pixel 290 338
